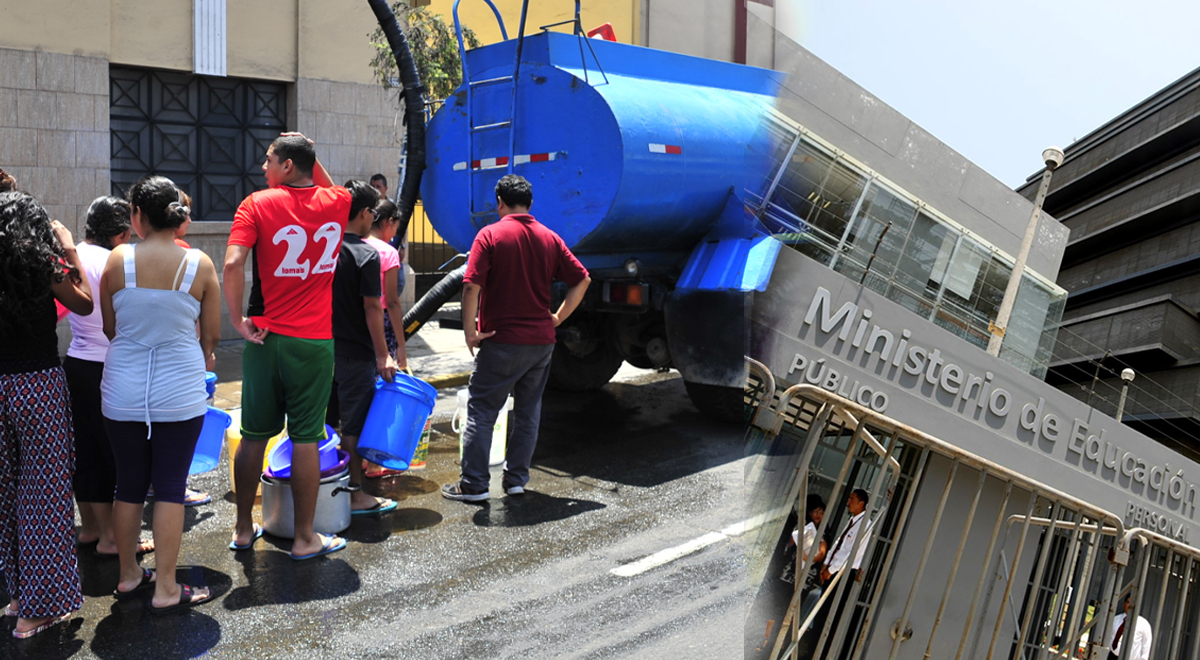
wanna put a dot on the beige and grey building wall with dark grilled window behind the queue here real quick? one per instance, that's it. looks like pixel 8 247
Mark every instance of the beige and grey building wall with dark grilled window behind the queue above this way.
pixel 64 109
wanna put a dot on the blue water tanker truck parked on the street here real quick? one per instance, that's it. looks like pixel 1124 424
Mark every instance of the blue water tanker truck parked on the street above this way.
pixel 643 161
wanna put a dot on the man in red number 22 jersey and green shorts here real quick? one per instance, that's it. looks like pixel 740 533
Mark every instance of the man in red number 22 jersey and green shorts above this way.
pixel 296 231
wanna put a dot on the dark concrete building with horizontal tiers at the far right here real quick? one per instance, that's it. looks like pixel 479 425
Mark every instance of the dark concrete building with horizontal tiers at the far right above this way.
pixel 1130 191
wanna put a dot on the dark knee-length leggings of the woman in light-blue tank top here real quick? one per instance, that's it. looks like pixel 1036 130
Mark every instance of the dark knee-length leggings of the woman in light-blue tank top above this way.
pixel 160 455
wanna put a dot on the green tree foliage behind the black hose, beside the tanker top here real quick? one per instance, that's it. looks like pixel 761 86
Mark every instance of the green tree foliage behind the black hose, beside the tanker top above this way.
pixel 435 51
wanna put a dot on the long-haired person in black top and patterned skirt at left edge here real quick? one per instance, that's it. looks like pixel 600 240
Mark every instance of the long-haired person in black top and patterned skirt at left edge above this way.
pixel 39 265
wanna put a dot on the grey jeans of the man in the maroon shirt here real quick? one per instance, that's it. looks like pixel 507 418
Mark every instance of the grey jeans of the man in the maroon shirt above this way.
pixel 501 370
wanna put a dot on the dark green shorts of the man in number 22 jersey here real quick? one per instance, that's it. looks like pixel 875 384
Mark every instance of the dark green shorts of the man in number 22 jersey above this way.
pixel 286 376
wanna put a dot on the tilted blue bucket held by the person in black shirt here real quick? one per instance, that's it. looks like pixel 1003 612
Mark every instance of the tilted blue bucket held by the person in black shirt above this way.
pixel 395 421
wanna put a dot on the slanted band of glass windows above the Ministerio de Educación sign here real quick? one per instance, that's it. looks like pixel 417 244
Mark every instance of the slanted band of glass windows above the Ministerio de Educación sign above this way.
pixel 848 218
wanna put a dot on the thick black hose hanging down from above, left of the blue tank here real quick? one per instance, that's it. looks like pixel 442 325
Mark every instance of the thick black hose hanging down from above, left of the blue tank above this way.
pixel 415 109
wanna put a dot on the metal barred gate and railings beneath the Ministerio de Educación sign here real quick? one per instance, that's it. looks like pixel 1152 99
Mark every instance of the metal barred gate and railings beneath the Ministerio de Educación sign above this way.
pixel 965 559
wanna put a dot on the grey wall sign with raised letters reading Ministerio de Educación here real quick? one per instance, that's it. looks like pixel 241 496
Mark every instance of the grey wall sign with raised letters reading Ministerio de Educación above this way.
pixel 814 326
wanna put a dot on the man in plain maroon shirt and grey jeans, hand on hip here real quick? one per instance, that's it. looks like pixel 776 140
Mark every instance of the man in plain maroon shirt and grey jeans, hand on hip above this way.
pixel 508 280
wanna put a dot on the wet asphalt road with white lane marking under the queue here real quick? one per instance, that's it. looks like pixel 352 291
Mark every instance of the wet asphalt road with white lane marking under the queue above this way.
pixel 620 477
